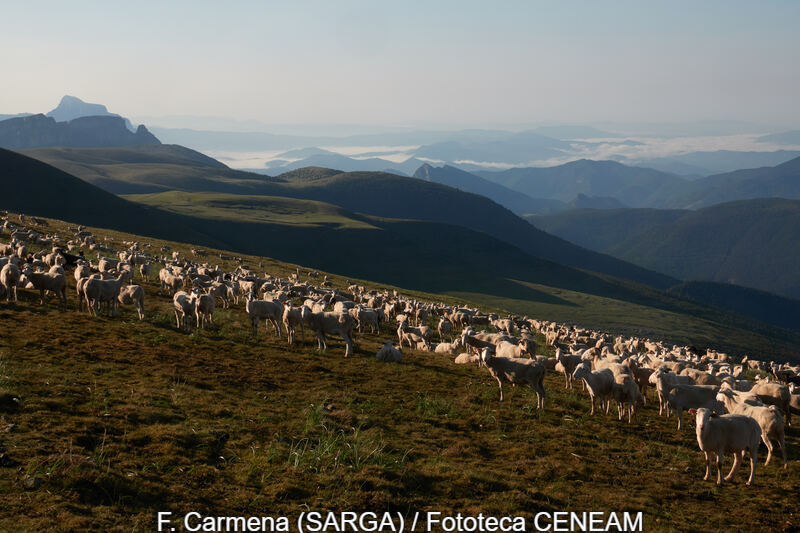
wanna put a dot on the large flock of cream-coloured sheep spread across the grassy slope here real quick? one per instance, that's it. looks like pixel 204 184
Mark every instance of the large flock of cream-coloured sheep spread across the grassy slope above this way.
pixel 614 370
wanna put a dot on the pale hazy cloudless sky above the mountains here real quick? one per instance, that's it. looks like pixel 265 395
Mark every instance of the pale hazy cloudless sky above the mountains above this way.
pixel 373 62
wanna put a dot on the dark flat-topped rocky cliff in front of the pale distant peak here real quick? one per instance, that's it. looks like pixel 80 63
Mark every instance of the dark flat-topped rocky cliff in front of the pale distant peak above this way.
pixel 37 131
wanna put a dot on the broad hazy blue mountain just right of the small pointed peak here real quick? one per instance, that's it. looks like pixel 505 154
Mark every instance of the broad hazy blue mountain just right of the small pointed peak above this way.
pixel 634 186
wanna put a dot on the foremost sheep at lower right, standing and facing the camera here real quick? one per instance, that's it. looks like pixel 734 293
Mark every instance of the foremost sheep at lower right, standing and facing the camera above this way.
pixel 727 434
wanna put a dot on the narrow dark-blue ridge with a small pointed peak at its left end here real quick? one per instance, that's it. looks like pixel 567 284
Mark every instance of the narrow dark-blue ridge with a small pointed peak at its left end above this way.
pixel 513 200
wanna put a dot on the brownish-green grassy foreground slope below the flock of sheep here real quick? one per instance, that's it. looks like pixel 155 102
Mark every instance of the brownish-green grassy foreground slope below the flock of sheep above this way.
pixel 121 419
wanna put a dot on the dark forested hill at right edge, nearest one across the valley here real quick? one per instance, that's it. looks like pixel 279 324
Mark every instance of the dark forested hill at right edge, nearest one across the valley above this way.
pixel 755 243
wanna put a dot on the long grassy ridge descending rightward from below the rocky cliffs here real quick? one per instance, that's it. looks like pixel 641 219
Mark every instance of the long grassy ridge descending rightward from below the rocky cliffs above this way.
pixel 370 193
